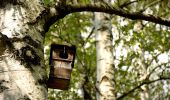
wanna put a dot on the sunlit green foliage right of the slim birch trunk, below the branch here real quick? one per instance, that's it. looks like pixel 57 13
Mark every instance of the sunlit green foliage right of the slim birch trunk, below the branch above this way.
pixel 149 41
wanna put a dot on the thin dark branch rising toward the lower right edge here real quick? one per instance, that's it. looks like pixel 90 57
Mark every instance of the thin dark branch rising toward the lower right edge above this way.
pixel 143 83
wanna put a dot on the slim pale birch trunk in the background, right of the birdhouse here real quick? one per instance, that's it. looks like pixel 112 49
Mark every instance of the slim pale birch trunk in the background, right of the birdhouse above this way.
pixel 105 67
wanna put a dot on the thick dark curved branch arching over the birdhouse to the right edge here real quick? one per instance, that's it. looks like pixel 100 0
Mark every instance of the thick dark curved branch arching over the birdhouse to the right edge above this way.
pixel 63 9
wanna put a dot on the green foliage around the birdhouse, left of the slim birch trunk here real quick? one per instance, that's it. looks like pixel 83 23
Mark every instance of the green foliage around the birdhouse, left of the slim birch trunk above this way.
pixel 69 31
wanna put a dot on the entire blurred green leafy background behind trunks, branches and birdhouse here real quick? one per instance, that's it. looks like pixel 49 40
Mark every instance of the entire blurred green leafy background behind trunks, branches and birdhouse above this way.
pixel 137 46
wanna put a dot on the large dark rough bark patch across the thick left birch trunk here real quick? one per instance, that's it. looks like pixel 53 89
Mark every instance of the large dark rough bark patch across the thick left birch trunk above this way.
pixel 22 54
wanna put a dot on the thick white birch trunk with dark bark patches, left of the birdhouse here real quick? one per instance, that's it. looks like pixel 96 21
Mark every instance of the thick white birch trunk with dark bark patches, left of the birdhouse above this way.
pixel 22 70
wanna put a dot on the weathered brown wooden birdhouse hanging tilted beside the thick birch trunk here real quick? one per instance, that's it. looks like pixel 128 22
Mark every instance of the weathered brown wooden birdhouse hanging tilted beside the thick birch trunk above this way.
pixel 61 62
